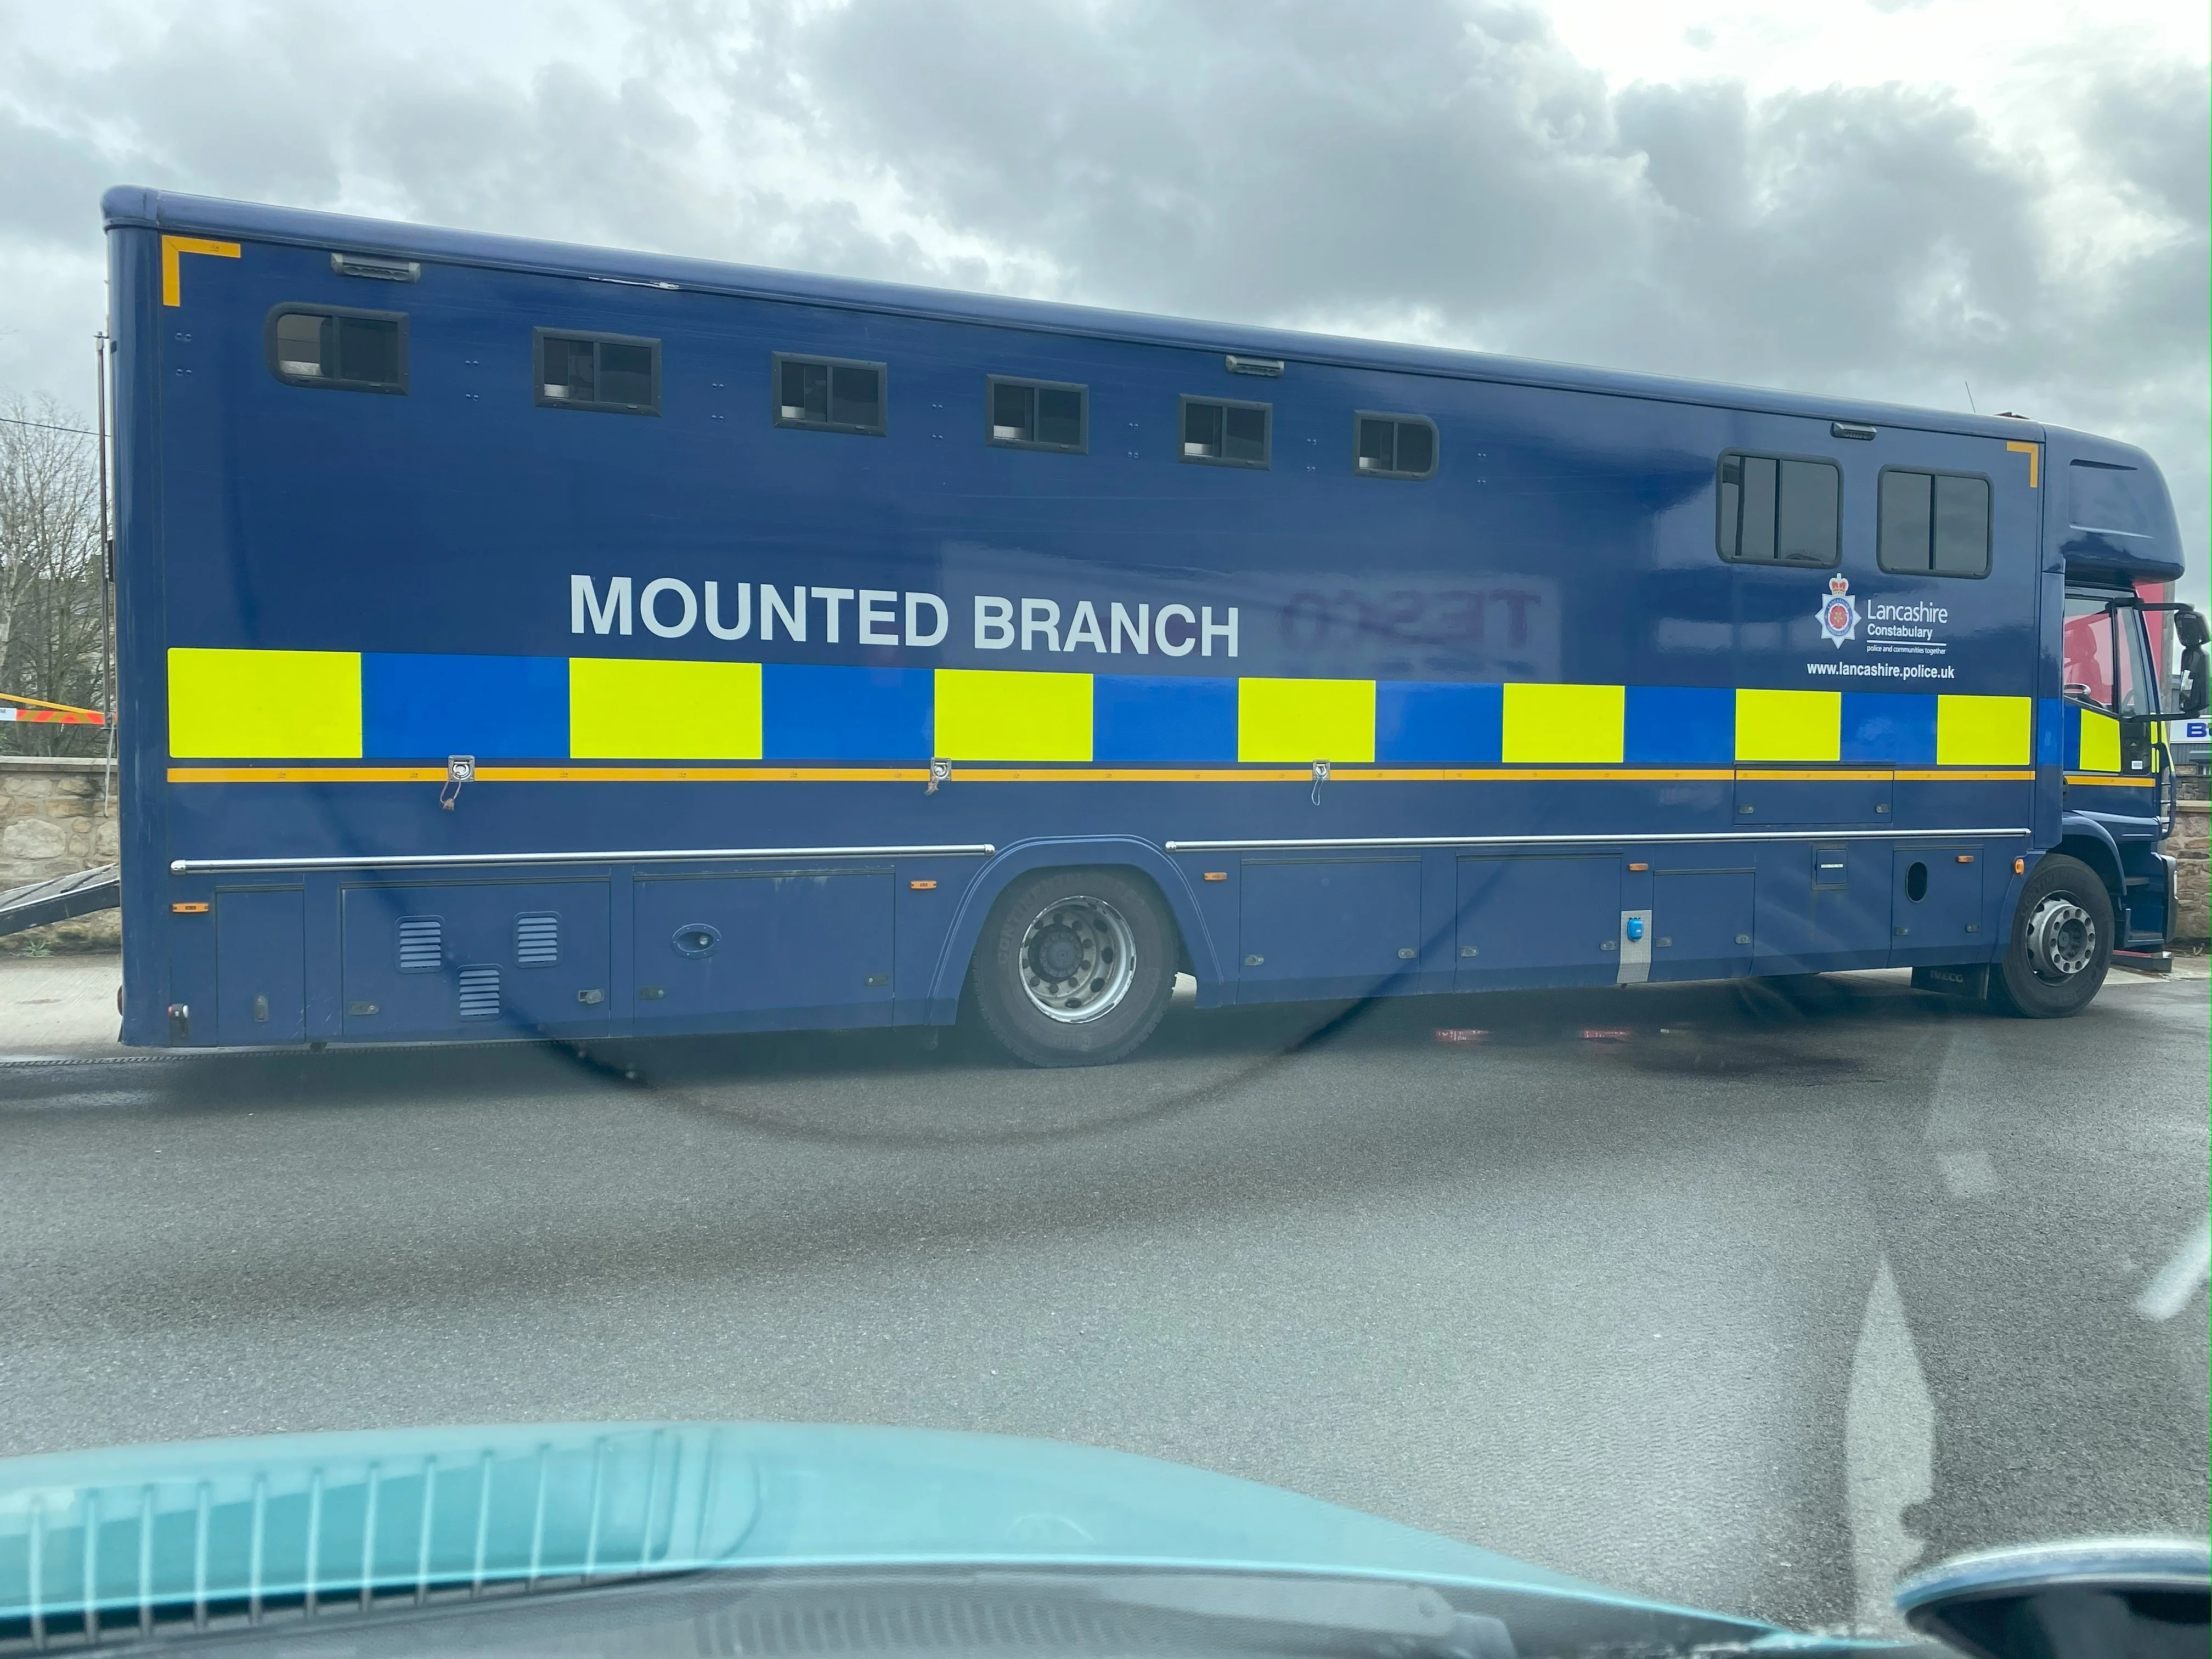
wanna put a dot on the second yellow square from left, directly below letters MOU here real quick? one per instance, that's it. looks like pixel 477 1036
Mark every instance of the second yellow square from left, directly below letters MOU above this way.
pixel 665 711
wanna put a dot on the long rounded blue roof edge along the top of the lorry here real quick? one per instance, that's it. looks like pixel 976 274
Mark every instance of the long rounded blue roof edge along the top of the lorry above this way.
pixel 136 207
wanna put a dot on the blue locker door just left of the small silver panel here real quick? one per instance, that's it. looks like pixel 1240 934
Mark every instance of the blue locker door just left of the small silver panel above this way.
pixel 1538 919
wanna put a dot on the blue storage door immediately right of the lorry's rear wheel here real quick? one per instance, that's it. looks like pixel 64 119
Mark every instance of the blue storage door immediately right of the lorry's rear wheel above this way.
pixel 1328 928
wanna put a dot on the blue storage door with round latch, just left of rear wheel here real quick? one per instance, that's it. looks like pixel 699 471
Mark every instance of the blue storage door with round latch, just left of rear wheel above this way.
pixel 764 952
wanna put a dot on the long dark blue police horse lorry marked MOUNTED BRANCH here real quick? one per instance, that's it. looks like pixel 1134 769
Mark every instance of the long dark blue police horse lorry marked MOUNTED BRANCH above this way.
pixel 536 640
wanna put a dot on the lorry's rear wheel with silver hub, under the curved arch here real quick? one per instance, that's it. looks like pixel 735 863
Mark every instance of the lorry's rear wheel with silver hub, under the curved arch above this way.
pixel 1074 968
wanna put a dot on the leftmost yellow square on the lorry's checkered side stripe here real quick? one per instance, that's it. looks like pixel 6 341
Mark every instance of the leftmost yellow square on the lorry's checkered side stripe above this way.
pixel 264 705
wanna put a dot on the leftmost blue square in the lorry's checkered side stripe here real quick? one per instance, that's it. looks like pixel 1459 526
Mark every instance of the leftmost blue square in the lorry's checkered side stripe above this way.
pixel 430 707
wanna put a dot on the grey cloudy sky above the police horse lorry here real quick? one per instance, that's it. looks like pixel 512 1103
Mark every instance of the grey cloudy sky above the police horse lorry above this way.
pixel 1910 200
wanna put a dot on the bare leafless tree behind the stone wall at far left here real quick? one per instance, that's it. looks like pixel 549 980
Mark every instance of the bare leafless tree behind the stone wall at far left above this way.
pixel 52 587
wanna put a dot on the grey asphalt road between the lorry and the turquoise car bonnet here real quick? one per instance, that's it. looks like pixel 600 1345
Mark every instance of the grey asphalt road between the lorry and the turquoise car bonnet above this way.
pixel 1751 1308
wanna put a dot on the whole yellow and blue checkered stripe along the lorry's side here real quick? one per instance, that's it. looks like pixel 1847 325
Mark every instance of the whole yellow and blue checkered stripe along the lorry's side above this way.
pixel 390 707
